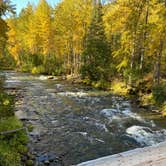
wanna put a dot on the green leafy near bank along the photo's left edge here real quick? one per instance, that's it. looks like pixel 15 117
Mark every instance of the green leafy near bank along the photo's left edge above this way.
pixel 12 140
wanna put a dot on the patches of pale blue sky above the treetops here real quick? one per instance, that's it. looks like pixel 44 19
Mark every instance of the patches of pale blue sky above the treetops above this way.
pixel 22 3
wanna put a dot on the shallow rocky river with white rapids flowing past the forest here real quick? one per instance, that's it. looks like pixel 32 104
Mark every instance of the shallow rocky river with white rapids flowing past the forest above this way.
pixel 75 123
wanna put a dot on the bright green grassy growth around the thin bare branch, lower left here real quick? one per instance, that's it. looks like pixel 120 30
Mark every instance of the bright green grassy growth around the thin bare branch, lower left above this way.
pixel 12 146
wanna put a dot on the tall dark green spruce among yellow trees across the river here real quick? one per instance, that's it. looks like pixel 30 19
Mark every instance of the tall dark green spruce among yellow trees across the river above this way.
pixel 96 54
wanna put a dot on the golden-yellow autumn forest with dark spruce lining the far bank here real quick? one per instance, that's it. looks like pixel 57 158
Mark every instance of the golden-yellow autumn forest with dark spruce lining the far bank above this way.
pixel 117 42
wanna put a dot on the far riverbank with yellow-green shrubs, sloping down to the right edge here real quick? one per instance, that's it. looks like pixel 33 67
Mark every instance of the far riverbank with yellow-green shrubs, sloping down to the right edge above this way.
pixel 145 93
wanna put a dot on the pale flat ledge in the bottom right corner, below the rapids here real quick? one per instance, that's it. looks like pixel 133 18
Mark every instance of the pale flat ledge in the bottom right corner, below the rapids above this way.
pixel 148 156
